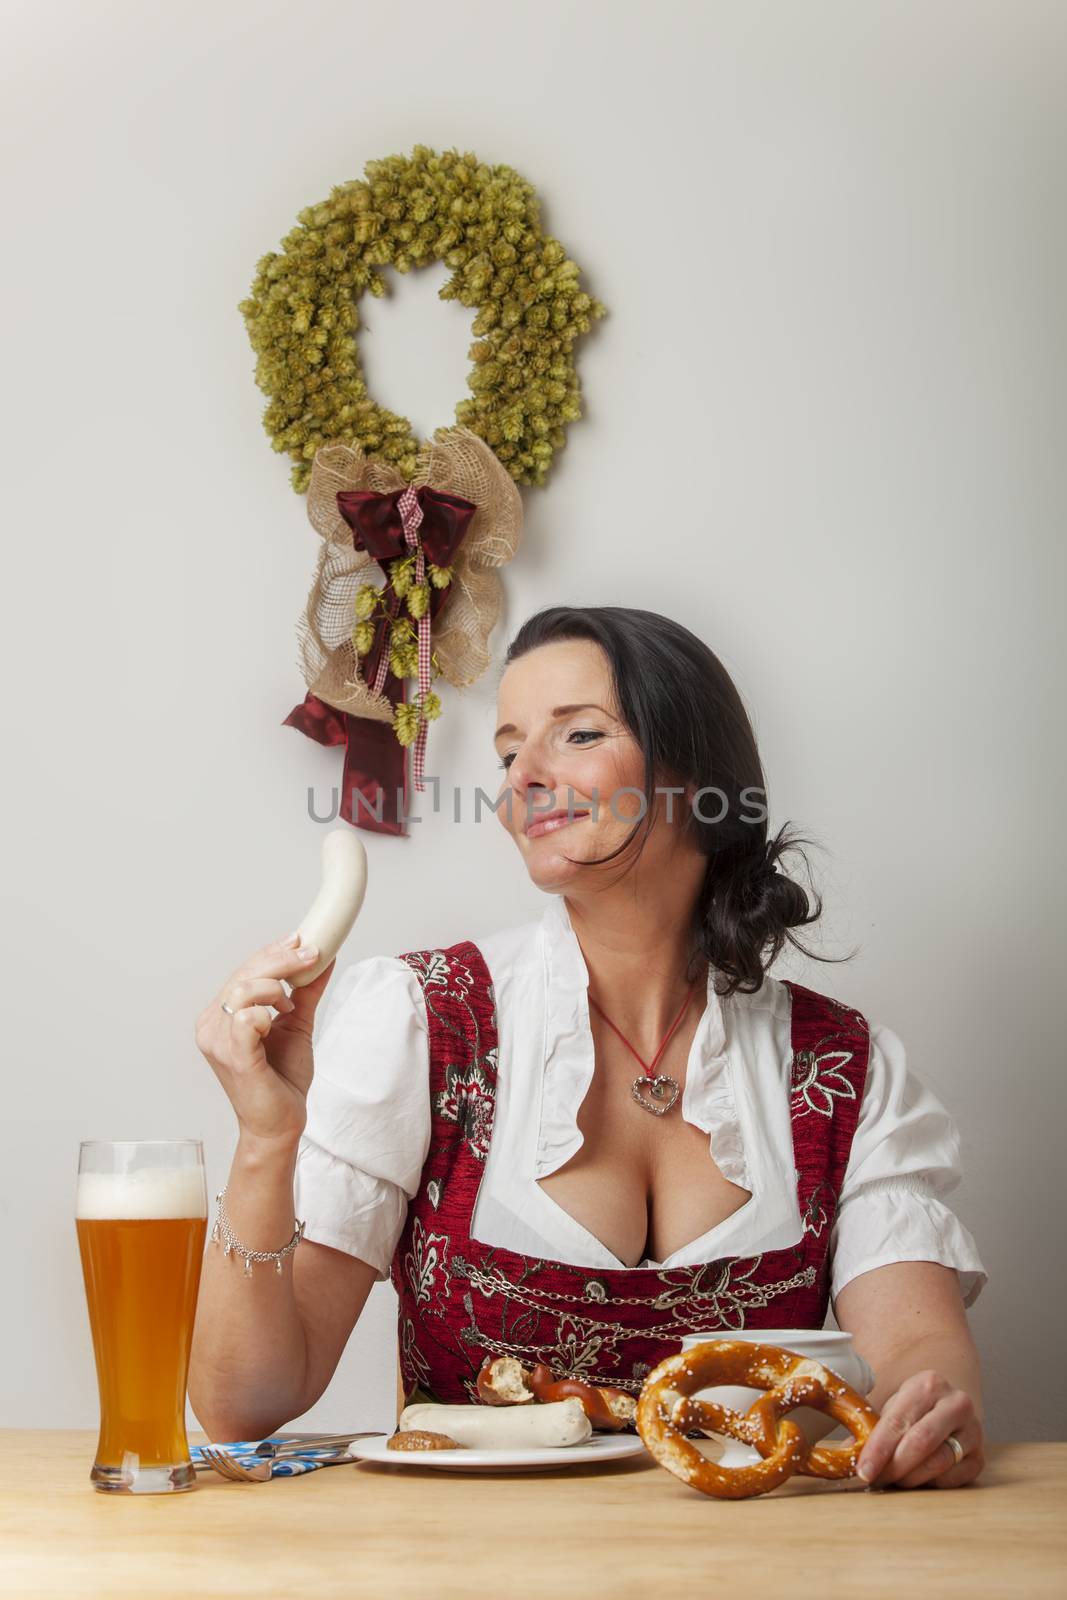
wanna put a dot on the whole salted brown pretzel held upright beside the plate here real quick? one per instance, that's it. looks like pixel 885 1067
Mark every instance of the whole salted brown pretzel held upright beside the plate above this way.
pixel 666 1412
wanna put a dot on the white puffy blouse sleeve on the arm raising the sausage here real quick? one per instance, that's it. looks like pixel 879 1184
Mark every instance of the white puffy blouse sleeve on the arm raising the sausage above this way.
pixel 369 1114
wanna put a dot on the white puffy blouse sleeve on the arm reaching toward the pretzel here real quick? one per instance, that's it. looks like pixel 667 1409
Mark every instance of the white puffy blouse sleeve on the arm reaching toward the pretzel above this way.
pixel 905 1159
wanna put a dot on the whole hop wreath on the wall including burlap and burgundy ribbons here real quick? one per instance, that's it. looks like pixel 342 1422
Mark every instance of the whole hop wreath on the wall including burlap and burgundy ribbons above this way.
pixel 438 516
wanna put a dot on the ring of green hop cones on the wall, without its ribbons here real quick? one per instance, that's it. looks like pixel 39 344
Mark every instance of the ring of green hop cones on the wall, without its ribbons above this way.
pixel 484 223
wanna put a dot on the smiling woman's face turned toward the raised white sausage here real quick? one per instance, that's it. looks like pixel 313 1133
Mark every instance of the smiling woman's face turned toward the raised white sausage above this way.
pixel 565 750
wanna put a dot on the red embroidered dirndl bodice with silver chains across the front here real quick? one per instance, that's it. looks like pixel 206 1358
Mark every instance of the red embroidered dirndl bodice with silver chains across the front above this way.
pixel 462 1302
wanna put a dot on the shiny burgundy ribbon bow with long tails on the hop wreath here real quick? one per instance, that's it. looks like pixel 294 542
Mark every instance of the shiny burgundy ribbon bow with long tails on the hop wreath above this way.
pixel 433 527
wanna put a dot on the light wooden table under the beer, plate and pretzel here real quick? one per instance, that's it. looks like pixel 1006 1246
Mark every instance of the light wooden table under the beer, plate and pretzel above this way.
pixel 617 1532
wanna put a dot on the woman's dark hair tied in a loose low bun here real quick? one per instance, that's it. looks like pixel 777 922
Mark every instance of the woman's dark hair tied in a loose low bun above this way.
pixel 689 719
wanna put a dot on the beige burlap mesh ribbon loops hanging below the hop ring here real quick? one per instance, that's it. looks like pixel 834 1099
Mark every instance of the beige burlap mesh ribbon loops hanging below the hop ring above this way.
pixel 455 462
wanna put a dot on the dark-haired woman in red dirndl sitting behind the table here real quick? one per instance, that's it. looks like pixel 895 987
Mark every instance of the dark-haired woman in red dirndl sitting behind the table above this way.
pixel 583 1137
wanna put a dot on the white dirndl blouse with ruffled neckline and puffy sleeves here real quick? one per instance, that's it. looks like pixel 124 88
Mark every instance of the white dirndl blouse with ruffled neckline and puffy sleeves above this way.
pixel 369 1121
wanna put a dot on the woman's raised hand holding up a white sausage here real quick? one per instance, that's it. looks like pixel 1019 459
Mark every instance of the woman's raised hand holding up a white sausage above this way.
pixel 265 1062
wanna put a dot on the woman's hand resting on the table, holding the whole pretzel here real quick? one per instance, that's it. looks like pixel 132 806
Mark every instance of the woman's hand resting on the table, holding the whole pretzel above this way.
pixel 909 1442
